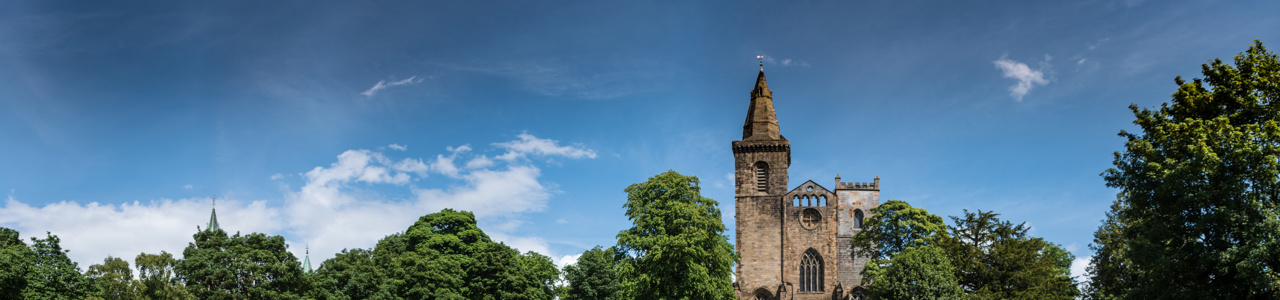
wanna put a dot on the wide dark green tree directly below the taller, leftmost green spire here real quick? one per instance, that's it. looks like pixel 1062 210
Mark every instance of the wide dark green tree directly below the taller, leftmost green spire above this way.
pixel 255 266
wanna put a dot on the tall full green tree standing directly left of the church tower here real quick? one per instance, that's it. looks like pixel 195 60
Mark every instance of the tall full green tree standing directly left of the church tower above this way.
pixel 676 248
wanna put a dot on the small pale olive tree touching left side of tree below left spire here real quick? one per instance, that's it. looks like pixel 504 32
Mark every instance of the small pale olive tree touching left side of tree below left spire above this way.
pixel 158 279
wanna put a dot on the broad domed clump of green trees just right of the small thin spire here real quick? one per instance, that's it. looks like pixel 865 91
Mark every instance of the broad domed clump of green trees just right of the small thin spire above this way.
pixel 444 256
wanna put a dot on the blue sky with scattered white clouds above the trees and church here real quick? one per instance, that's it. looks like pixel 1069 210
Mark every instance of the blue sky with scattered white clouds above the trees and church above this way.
pixel 339 124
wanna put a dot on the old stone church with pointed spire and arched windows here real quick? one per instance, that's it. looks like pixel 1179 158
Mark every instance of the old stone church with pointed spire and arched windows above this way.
pixel 794 244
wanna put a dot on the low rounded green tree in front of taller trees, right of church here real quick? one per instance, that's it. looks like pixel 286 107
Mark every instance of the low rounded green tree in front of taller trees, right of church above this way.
pixel 920 272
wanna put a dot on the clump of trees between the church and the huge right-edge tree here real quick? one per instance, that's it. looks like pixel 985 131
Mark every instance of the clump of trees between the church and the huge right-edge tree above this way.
pixel 980 257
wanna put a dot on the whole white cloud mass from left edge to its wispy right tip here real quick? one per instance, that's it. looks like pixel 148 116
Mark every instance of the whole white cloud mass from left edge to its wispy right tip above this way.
pixel 351 203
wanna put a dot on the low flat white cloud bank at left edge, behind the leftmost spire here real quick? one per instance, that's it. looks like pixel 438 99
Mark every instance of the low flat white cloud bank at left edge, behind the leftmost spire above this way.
pixel 94 231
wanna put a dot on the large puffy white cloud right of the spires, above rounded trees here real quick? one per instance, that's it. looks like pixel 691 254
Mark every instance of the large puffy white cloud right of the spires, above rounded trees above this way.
pixel 330 213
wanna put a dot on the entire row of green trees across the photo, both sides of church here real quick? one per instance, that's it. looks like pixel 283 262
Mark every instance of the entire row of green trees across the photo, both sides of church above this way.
pixel 1197 216
